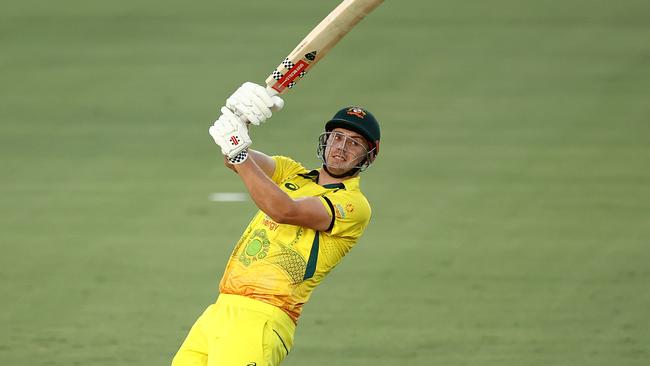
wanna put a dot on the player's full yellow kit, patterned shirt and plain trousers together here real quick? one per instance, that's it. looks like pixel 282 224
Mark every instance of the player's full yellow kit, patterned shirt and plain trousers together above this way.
pixel 272 272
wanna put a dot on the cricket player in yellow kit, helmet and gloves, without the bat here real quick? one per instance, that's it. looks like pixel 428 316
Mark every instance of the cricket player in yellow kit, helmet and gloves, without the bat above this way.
pixel 308 220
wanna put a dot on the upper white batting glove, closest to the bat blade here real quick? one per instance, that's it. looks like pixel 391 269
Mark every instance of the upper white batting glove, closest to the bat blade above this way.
pixel 253 103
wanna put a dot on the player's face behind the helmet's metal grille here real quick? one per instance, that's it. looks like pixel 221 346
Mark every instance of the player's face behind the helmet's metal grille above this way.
pixel 345 150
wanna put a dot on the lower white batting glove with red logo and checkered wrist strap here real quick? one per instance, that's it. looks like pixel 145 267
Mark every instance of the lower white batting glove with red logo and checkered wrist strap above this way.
pixel 231 134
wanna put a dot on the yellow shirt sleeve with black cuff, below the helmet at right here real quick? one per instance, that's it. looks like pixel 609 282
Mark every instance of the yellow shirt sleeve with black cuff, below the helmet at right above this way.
pixel 351 213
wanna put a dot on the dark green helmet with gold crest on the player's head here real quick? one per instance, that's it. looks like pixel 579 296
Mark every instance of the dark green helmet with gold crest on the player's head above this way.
pixel 361 121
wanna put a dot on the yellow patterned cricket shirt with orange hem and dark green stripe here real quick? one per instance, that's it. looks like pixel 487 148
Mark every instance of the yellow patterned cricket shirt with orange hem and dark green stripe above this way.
pixel 281 264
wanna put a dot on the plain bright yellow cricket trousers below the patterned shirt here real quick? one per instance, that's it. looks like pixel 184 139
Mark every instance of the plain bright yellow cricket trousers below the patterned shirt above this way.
pixel 237 330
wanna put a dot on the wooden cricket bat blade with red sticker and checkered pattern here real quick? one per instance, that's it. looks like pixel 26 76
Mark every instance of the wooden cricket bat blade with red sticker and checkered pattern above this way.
pixel 318 42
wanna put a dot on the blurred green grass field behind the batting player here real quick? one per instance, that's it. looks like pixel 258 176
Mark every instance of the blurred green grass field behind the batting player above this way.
pixel 511 198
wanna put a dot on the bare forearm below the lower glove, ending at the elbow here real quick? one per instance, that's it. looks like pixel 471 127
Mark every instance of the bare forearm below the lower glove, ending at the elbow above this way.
pixel 267 196
